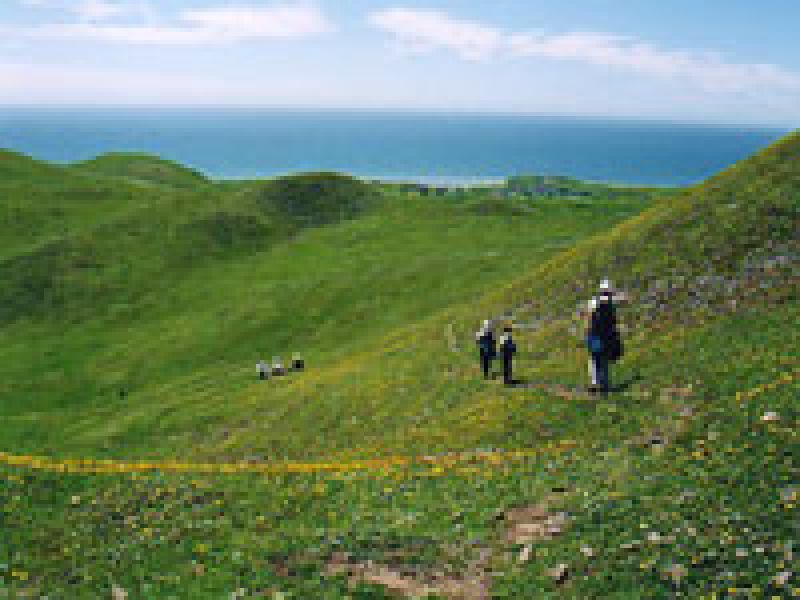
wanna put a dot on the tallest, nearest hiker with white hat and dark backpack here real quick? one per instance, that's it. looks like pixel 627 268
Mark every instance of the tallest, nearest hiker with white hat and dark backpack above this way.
pixel 602 336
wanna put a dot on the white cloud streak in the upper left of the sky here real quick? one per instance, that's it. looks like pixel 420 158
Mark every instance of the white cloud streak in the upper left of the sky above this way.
pixel 214 25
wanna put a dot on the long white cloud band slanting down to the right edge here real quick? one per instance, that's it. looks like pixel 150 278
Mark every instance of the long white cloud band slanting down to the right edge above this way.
pixel 424 30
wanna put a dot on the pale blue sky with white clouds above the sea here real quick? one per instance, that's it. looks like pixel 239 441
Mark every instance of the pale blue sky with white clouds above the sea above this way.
pixel 732 61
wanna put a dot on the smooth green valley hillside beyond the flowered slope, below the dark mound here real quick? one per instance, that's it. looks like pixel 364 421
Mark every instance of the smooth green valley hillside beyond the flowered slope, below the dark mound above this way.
pixel 131 305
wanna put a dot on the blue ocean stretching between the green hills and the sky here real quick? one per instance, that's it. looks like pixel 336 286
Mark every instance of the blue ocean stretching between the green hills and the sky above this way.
pixel 250 143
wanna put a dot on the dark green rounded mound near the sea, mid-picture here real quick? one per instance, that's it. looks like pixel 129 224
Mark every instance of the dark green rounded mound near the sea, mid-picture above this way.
pixel 311 199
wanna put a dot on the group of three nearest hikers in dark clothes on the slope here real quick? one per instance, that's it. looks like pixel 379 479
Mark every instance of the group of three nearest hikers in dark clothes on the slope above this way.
pixel 603 341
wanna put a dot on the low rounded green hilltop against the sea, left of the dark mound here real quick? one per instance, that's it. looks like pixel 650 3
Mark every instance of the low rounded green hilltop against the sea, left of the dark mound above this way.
pixel 142 167
